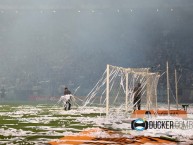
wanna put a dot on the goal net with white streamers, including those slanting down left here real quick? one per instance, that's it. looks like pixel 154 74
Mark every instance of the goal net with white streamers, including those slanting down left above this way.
pixel 115 89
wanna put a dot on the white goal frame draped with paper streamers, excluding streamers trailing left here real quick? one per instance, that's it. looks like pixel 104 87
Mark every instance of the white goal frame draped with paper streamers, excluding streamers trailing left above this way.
pixel 133 76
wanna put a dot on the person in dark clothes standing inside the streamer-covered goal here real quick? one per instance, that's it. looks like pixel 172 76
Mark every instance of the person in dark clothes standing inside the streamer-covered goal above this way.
pixel 137 97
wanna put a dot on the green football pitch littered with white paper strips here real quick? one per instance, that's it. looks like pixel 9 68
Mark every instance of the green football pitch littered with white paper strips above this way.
pixel 40 124
